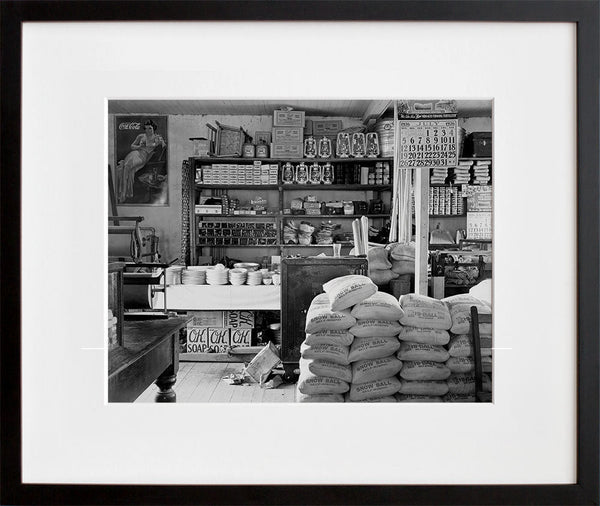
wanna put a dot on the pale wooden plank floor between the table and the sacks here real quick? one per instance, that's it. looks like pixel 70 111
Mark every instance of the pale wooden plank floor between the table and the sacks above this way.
pixel 202 382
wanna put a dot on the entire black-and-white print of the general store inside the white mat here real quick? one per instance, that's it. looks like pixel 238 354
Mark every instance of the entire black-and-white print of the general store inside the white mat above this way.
pixel 309 251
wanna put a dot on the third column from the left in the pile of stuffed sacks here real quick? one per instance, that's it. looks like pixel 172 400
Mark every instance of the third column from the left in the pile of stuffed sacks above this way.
pixel 424 334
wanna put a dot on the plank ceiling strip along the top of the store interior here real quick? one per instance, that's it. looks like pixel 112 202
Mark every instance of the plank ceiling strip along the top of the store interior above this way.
pixel 363 109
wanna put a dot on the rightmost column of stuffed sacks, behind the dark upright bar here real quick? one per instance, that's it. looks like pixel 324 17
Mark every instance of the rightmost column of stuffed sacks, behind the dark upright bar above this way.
pixel 461 383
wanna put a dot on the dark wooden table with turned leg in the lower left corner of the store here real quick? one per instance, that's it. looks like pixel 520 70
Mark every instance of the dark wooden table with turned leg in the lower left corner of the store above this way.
pixel 150 353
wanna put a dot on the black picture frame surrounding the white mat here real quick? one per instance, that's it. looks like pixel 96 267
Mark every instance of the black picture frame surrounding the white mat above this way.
pixel 585 13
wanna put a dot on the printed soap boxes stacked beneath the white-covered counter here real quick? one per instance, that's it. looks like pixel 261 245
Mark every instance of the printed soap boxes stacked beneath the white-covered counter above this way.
pixel 217 331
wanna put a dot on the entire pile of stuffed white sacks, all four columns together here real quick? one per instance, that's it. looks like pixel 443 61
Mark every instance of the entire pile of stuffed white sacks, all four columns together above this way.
pixel 363 345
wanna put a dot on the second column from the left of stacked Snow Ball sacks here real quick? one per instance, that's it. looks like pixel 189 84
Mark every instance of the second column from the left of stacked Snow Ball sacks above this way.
pixel 373 351
